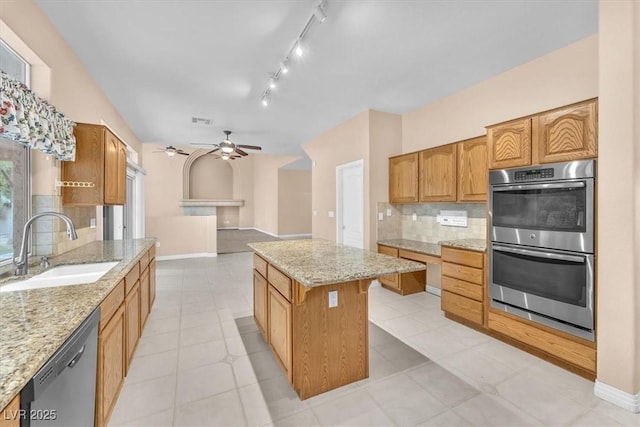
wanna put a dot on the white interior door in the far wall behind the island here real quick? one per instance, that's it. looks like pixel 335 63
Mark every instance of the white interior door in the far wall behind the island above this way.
pixel 350 203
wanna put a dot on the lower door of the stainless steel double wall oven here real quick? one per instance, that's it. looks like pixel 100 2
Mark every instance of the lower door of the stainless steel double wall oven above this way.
pixel 552 287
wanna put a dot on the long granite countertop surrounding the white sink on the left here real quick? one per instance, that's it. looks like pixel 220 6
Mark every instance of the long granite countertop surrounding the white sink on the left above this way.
pixel 35 323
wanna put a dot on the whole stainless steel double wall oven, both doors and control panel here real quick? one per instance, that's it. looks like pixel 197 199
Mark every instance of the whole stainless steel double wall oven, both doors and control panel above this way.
pixel 542 244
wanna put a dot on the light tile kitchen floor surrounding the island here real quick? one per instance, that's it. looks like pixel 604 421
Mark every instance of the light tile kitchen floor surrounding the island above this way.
pixel 191 367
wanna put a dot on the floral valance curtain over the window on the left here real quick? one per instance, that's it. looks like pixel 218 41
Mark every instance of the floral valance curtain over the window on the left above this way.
pixel 28 119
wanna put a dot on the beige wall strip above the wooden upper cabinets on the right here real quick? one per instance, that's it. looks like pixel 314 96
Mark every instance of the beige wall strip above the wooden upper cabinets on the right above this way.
pixel 564 76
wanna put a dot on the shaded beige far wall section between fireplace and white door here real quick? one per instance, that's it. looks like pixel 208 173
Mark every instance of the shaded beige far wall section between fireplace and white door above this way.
pixel 294 202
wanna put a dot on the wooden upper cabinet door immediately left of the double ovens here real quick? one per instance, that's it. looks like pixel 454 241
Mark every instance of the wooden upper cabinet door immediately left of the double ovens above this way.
pixel 472 170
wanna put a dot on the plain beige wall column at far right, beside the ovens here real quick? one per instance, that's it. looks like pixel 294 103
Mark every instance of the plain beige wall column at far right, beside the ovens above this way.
pixel 618 322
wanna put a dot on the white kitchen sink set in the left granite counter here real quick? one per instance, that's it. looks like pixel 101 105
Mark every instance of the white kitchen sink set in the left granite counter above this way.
pixel 64 275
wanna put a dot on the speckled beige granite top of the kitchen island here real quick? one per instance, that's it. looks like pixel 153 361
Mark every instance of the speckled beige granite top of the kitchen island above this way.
pixel 317 262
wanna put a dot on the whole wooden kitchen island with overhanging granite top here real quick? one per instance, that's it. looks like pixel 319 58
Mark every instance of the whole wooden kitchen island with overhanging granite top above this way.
pixel 311 305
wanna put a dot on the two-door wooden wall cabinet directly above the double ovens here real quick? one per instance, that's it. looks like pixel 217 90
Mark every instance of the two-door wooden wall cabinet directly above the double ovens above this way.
pixel 563 134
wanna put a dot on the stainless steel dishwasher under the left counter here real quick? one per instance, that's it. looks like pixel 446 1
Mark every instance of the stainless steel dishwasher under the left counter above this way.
pixel 62 393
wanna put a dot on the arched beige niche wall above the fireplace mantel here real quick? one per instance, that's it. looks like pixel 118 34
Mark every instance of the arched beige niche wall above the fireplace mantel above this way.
pixel 211 178
